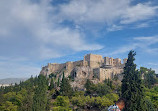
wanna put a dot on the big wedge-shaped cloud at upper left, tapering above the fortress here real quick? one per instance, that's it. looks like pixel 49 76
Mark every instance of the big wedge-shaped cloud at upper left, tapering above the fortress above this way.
pixel 36 25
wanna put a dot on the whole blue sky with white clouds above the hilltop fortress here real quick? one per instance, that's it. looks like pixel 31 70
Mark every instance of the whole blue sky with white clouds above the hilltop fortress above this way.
pixel 36 32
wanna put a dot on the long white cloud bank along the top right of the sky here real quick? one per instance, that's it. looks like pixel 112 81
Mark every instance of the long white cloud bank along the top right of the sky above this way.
pixel 107 11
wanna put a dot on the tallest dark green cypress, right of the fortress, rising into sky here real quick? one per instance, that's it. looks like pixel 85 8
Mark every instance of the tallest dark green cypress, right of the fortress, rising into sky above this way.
pixel 132 89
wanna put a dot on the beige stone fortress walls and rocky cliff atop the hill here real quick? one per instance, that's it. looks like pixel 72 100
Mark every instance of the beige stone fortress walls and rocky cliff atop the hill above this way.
pixel 93 67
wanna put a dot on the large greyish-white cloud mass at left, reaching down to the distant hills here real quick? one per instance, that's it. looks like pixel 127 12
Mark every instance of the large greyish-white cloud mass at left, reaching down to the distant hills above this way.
pixel 31 32
